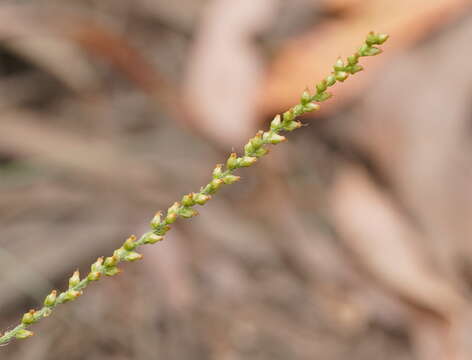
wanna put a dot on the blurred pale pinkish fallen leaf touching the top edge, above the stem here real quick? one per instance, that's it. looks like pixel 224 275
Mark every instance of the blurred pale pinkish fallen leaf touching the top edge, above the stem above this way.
pixel 225 69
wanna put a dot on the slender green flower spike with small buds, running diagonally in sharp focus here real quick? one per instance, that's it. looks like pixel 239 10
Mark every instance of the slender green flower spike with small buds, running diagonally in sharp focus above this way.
pixel 222 175
